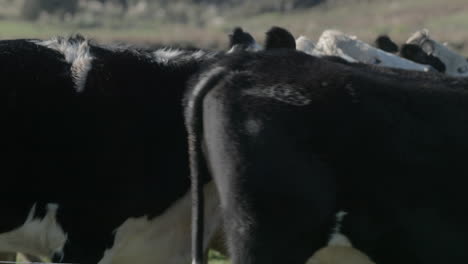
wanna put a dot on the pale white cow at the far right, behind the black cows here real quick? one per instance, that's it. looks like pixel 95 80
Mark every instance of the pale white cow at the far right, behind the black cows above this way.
pixel 455 64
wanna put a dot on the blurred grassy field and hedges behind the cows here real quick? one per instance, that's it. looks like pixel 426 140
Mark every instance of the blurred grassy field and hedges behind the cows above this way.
pixel 205 23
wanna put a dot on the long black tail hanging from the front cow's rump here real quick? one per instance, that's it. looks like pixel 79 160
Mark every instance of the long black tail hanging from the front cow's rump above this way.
pixel 194 124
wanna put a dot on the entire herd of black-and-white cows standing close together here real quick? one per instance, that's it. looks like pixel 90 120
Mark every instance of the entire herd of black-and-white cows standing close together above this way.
pixel 101 144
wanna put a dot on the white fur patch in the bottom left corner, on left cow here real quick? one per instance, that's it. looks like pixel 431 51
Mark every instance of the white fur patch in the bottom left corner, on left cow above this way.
pixel 38 237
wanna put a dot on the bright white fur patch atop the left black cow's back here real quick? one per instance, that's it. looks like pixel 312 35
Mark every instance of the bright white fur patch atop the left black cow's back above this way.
pixel 76 52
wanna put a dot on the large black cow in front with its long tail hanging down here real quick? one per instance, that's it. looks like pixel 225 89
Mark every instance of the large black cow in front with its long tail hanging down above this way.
pixel 290 139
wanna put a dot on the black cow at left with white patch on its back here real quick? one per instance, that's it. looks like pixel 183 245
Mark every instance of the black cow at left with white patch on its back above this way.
pixel 91 135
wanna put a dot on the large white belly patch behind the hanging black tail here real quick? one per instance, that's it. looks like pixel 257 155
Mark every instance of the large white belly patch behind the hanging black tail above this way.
pixel 166 238
